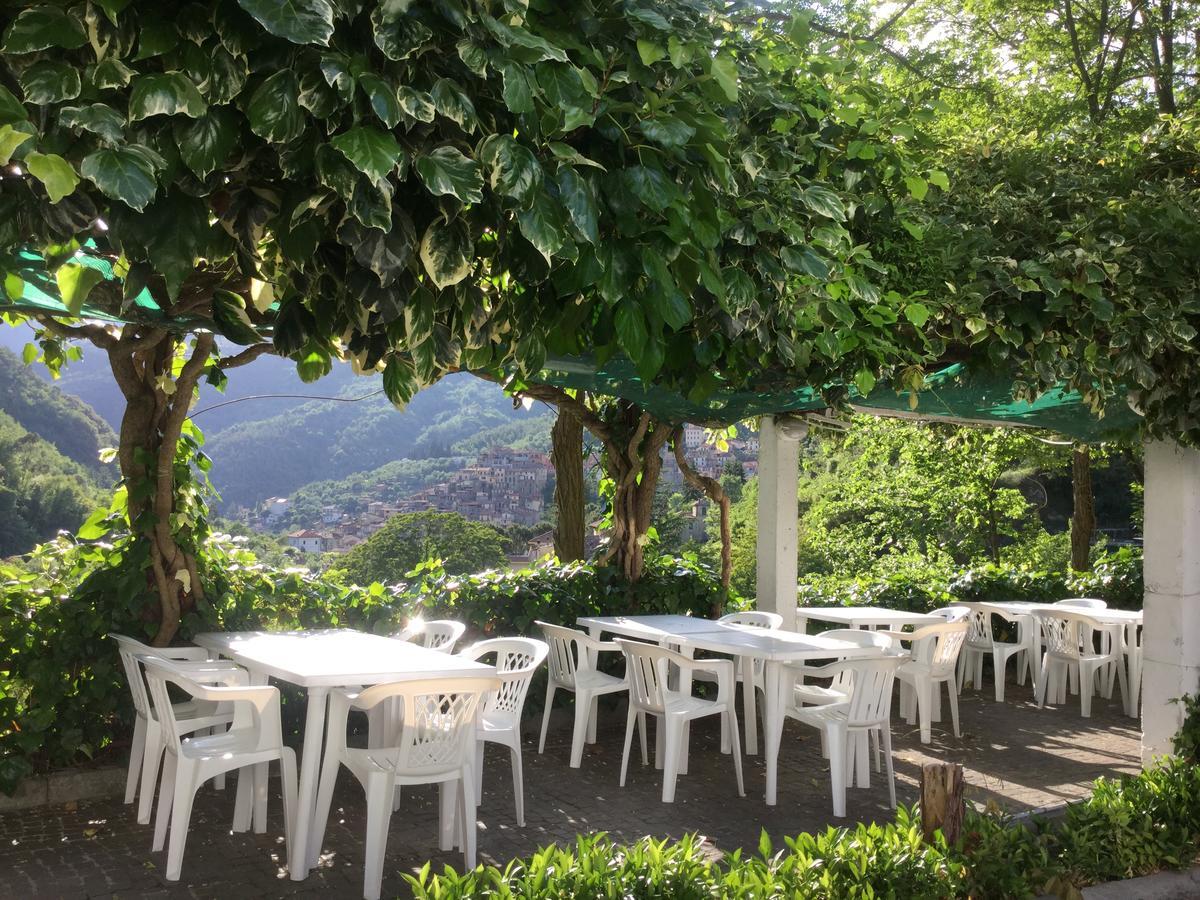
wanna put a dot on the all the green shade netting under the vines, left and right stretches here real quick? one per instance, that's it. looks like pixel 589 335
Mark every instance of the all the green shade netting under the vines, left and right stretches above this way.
pixel 951 394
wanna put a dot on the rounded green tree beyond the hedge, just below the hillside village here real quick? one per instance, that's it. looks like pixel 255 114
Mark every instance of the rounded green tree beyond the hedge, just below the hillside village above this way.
pixel 411 538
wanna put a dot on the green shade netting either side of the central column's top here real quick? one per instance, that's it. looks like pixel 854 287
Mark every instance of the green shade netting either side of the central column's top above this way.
pixel 953 394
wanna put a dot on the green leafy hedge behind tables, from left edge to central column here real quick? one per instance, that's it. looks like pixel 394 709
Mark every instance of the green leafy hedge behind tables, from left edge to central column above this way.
pixel 63 693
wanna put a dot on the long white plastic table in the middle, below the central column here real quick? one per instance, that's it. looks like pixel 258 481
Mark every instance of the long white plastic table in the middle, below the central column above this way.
pixel 776 649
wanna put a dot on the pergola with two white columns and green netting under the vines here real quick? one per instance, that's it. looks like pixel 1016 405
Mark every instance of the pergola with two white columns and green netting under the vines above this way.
pixel 1172 560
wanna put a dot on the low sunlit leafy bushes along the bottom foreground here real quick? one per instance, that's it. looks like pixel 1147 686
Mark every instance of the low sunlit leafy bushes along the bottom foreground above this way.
pixel 1131 826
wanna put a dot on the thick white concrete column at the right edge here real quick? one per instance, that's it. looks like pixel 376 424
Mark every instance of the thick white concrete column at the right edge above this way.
pixel 1172 568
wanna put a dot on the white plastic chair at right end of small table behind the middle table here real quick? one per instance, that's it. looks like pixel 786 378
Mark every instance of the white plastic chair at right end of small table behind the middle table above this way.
pixel 933 663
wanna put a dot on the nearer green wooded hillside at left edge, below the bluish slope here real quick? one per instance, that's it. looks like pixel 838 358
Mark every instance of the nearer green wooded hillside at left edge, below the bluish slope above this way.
pixel 41 490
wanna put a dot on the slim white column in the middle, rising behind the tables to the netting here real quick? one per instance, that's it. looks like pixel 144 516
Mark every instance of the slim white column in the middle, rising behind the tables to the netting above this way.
pixel 778 513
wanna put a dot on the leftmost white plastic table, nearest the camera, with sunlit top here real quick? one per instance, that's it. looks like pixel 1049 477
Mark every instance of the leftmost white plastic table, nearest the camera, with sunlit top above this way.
pixel 319 662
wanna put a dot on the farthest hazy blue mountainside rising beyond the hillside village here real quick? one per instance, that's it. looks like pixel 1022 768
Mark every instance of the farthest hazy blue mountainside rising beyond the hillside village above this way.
pixel 274 446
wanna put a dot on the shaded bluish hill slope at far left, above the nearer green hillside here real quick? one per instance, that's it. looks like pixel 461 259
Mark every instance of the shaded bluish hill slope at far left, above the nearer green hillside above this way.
pixel 75 430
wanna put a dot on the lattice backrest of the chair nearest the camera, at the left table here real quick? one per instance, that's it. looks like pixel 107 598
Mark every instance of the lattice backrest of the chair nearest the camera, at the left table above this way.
pixel 437 730
